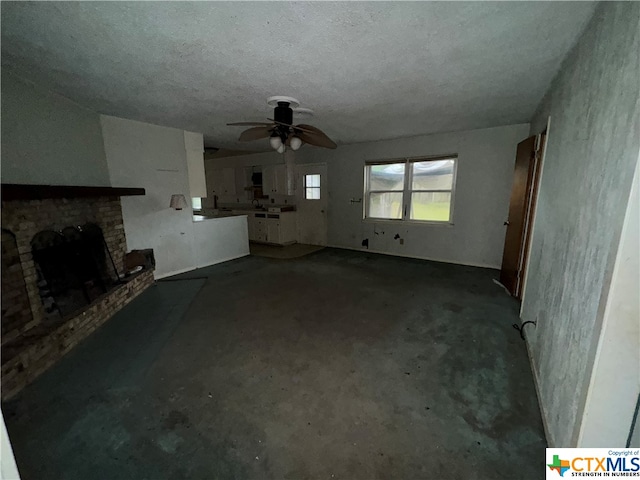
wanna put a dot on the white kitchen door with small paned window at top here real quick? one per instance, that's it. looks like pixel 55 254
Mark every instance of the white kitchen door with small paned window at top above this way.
pixel 311 193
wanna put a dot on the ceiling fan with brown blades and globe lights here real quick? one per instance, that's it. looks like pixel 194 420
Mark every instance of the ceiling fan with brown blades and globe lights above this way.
pixel 281 131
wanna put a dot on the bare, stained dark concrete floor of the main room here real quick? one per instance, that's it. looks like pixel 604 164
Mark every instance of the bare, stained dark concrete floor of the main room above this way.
pixel 336 365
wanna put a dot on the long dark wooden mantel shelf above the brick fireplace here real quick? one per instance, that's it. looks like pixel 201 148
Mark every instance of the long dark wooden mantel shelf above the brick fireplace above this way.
pixel 15 191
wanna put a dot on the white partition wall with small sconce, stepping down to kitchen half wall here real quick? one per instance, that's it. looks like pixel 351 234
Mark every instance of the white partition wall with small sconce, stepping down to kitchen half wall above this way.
pixel 154 157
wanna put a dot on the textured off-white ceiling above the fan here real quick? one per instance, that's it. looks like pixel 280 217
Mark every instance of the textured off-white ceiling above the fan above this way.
pixel 370 71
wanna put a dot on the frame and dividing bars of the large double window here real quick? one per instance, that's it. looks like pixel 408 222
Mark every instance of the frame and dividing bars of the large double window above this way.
pixel 407 191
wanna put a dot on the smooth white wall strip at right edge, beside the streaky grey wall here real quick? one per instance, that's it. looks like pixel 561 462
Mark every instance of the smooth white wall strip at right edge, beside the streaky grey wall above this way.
pixel 615 381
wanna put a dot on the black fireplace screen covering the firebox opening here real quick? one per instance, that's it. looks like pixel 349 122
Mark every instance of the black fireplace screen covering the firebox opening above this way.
pixel 72 268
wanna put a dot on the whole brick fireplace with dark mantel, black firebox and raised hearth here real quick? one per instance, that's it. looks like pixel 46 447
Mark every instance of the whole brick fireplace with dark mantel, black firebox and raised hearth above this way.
pixel 41 322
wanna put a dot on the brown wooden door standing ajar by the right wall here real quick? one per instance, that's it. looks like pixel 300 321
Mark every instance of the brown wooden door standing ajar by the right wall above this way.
pixel 520 206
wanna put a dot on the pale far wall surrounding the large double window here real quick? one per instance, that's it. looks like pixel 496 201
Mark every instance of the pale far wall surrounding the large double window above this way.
pixel 486 159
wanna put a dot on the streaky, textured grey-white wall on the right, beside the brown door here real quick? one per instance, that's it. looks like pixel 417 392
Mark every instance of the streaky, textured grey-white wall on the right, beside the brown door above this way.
pixel 591 154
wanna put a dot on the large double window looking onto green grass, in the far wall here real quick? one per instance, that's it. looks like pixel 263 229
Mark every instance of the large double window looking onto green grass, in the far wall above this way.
pixel 413 189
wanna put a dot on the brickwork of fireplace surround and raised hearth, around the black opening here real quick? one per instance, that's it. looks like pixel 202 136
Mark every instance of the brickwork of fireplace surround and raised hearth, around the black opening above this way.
pixel 31 340
